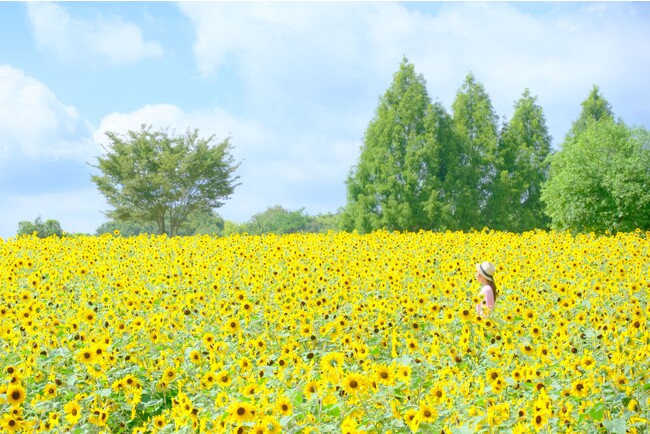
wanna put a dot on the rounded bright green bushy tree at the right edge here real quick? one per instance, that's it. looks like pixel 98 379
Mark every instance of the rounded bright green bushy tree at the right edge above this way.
pixel 600 179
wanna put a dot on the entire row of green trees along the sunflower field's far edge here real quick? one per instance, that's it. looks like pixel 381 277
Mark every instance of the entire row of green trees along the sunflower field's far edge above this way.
pixel 420 168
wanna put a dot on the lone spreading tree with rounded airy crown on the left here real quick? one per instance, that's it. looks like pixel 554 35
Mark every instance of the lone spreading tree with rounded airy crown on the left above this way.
pixel 151 177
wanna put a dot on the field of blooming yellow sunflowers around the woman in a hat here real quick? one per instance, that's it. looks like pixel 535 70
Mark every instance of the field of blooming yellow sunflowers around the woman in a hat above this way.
pixel 324 333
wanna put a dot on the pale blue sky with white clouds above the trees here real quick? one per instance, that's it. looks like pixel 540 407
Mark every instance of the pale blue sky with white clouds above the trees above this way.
pixel 293 84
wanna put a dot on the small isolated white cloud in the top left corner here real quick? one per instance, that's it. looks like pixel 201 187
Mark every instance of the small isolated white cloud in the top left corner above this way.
pixel 111 42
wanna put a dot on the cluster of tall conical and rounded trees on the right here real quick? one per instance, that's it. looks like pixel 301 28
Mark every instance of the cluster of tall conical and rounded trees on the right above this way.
pixel 423 168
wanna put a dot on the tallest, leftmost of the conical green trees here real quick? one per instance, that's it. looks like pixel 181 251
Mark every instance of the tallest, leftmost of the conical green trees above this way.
pixel 399 182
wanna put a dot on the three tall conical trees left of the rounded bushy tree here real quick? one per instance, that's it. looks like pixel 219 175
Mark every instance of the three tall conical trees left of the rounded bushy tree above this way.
pixel 421 168
